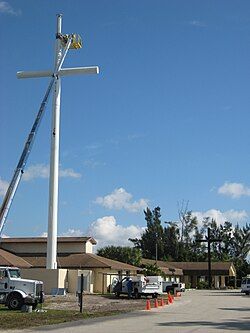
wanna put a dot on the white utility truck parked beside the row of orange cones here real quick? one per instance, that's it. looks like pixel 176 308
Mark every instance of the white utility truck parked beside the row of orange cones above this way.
pixel 141 286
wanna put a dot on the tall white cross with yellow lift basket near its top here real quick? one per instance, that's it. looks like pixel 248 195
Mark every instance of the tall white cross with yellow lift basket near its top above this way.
pixel 63 43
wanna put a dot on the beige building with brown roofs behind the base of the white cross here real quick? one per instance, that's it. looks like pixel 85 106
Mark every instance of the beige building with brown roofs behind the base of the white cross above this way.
pixel 74 257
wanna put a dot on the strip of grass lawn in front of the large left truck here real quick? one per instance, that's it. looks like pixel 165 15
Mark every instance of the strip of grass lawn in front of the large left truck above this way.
pixel 19 320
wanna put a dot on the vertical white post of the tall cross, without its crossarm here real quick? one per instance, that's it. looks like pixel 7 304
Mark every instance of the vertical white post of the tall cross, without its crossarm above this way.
pixel 54 158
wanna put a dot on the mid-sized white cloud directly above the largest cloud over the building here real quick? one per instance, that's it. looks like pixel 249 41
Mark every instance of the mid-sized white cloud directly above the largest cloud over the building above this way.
pixel 120 199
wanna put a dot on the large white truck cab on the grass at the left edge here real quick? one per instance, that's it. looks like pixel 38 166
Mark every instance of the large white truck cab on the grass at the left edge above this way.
pixel 16 292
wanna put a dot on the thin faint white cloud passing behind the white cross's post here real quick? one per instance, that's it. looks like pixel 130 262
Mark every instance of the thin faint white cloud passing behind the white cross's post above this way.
pixel 42 171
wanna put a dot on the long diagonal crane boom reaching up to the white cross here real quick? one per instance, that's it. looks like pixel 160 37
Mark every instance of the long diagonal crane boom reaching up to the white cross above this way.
pixel 9 196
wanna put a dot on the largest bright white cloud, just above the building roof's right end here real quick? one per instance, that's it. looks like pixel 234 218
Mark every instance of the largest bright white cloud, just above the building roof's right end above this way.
pixel 106 231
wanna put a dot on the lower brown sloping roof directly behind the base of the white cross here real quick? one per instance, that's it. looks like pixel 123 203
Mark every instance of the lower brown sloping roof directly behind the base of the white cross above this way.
pixel 82 260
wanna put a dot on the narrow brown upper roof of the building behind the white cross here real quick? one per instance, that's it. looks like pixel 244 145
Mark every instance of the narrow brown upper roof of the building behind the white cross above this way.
pixel 44 240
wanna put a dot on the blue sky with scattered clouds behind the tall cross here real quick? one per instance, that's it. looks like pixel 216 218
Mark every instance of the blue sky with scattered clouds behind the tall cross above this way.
pixel 166 121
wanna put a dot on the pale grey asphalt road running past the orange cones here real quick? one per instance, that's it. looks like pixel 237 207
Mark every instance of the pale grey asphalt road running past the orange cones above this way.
pixel 196 311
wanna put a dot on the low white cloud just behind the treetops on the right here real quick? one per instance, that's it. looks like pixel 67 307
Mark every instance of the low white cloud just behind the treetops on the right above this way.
pixel 231 215
